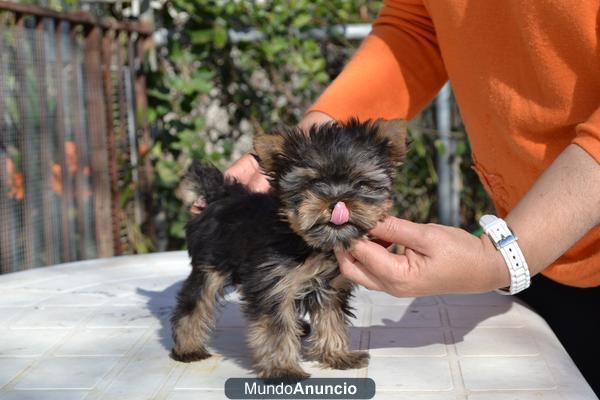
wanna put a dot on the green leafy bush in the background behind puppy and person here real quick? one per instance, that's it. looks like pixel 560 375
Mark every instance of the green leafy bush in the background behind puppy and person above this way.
pixel 210 94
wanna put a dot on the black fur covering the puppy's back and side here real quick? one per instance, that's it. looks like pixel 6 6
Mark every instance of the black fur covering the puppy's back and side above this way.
pixel 240 233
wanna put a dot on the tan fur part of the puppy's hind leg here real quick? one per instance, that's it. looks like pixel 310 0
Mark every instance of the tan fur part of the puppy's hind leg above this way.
pixel 191 332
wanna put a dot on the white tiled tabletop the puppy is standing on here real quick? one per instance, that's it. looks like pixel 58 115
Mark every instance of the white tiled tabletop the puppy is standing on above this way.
pixel 99 330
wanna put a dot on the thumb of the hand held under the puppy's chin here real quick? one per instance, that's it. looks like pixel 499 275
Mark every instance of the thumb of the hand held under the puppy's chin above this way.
pixel 400 231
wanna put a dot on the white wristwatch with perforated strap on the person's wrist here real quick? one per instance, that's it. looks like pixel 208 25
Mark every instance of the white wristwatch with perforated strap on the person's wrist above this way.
pixel 505 241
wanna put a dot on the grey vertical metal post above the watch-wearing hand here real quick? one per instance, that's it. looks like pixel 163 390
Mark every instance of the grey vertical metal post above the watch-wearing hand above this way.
pixel 448 174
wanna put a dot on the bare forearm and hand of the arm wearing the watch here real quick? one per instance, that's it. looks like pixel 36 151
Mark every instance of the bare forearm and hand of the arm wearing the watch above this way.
pixel 558 210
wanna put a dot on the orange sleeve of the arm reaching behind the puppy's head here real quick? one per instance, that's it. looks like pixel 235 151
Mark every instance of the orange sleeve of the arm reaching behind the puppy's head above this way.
pixel 396 71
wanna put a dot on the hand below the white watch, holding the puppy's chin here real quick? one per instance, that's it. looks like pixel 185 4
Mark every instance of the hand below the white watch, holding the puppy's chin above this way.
pixel 437 260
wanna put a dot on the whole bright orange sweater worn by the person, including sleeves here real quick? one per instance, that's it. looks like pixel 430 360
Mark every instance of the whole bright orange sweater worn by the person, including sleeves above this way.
pixel 525 73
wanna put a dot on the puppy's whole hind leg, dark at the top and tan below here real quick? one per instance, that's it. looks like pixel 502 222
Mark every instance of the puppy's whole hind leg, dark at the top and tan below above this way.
pixel 194 316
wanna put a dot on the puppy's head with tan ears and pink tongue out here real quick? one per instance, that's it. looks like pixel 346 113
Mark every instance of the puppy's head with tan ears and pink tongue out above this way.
pixel 334 182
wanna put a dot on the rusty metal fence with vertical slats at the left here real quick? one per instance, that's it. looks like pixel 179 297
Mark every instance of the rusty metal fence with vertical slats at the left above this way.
pixel 74 183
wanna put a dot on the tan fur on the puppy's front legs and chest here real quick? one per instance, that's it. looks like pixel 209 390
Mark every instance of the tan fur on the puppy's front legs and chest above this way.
pixel 279 335
